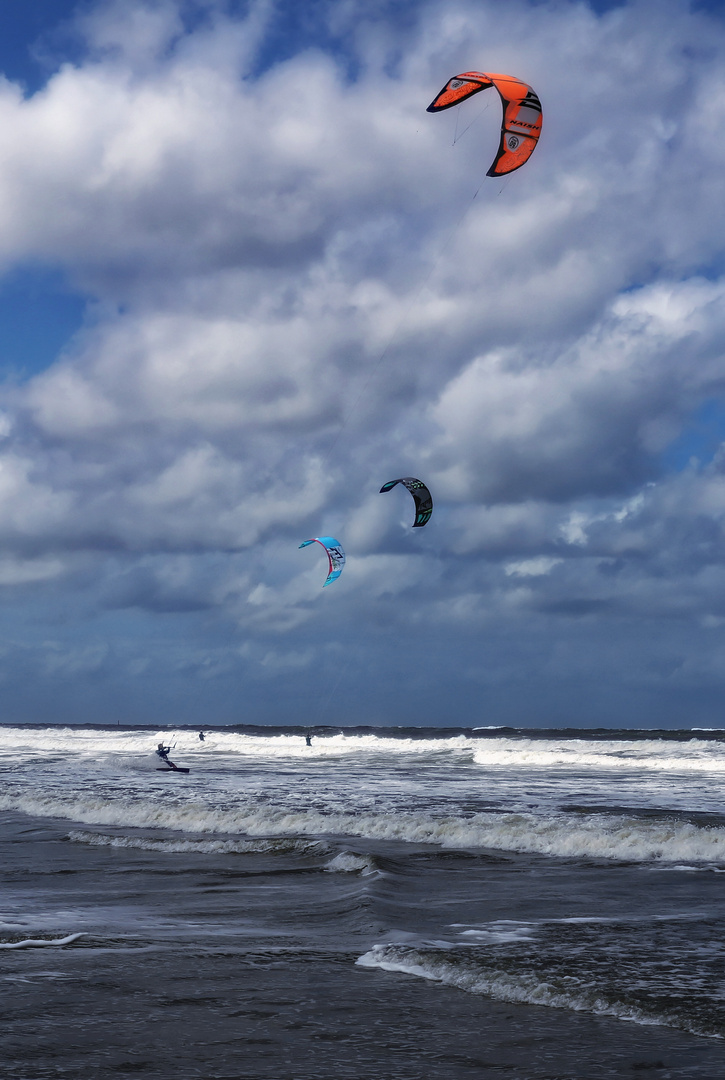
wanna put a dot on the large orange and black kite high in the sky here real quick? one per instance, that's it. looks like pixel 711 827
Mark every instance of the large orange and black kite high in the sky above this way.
pixel 521 126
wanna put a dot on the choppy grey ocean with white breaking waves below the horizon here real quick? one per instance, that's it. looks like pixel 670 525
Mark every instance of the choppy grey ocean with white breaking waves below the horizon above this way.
pixel 384 904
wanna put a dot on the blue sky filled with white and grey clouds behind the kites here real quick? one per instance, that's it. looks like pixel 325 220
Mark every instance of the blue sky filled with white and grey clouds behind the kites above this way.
pixel 246 280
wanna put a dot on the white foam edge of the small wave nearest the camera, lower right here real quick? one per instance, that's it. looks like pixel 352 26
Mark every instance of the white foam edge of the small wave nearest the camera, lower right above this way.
pixel 523 989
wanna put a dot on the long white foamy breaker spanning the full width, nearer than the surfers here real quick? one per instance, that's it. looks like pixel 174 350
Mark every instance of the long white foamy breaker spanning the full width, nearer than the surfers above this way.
pixel 594 836
